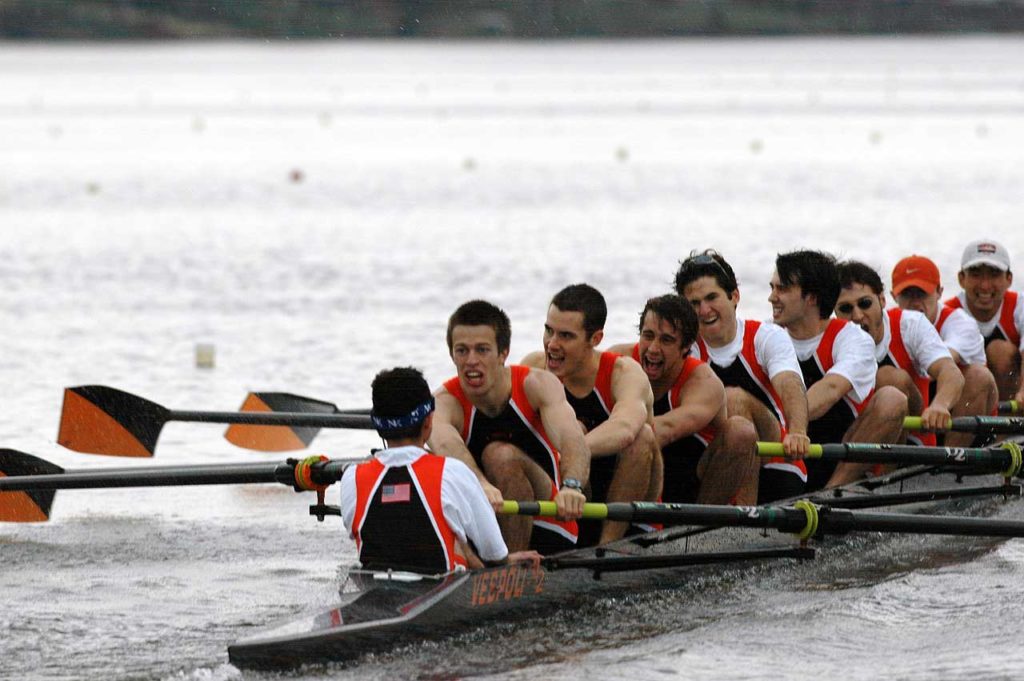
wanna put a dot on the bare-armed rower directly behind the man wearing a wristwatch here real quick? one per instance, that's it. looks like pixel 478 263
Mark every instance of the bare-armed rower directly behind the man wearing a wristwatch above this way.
pixel 613 402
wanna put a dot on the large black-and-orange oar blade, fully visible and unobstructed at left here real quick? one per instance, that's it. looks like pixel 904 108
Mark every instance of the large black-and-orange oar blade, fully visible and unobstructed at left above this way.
pixel 97 419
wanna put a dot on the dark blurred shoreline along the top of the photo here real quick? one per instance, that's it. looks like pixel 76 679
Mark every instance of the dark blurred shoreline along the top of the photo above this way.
pixel 326 20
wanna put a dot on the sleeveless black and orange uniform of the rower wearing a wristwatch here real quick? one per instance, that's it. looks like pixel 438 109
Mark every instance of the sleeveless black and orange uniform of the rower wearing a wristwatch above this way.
pixel 520 425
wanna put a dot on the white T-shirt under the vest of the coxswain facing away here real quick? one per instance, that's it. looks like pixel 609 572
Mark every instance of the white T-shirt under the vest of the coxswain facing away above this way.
pixel 463 502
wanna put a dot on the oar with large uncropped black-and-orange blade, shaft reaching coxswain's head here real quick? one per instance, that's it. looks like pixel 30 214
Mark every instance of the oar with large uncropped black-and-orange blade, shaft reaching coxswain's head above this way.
pixel 98 419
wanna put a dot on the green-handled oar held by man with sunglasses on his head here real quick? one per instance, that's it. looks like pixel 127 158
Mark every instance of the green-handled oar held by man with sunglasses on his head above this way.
pixel 1005 458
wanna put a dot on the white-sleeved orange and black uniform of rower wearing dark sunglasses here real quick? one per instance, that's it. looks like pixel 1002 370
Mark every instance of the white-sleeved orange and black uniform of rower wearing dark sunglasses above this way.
pixel 912 344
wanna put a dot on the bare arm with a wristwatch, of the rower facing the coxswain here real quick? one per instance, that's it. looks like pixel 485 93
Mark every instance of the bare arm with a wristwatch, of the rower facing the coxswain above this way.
pixel 547 396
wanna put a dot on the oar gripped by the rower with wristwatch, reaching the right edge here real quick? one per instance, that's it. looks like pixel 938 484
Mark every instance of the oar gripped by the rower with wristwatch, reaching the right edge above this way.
pixel 803 519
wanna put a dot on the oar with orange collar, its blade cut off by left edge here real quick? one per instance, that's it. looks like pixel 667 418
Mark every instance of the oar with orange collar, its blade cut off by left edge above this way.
pixel 28 483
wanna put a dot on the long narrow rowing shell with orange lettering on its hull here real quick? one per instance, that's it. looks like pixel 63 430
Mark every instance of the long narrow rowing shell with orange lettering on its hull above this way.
pixel 379 612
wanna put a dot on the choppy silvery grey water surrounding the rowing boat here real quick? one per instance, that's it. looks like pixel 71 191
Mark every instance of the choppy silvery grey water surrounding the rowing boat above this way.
pixel 317 211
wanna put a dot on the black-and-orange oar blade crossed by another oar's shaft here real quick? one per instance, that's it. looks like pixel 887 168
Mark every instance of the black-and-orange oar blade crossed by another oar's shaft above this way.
pixel 277 439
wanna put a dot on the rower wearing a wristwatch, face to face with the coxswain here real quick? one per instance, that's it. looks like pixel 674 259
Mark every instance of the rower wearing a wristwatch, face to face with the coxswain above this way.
pixel 514 428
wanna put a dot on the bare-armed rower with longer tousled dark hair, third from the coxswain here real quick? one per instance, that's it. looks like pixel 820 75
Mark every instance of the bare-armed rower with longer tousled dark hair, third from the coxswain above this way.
pixel 709 456
